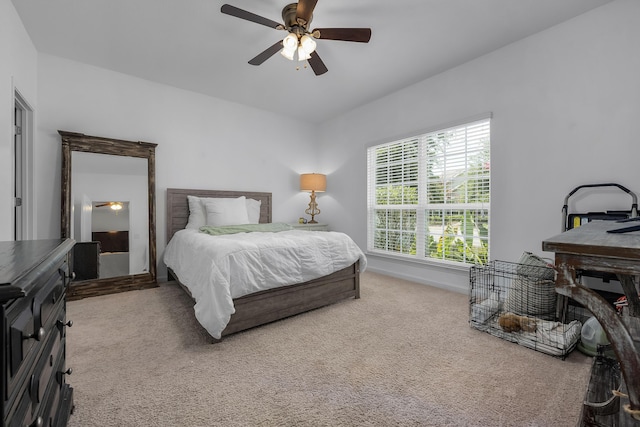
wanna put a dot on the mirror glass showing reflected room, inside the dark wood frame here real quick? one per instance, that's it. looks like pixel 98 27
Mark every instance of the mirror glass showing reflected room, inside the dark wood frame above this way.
pixel 100 184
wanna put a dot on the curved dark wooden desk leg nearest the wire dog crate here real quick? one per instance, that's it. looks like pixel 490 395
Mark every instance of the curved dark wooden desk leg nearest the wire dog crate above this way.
pixel 617 333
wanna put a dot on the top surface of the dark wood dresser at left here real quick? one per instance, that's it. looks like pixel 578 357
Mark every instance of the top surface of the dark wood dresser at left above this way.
pixel 19 258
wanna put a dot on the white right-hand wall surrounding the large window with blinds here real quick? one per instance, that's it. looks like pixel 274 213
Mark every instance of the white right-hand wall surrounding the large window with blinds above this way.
pixel 566 112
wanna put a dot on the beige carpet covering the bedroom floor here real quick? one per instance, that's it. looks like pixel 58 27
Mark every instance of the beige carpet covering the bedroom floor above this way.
pixel 403 354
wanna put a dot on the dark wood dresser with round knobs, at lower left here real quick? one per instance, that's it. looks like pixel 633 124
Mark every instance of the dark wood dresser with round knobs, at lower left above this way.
pixel 34 275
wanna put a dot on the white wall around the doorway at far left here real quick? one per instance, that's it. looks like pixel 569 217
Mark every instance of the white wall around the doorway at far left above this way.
pixel 17 72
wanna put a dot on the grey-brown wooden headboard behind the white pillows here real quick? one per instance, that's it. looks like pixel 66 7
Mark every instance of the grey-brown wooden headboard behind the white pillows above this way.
pixel 178 206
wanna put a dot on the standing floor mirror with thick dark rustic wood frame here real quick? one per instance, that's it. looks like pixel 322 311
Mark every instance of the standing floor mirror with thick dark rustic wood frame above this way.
pixel 109 209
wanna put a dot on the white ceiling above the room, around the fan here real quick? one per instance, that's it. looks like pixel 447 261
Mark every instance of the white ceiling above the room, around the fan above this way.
pixel 191 45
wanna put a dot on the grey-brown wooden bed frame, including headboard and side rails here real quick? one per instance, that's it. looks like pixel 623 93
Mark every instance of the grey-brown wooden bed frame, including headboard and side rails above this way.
pixel 274 304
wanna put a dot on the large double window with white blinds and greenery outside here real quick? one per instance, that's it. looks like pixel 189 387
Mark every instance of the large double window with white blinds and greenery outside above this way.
pixel 428 195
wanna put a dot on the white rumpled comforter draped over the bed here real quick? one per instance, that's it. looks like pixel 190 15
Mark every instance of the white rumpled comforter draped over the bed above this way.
pixel 217 269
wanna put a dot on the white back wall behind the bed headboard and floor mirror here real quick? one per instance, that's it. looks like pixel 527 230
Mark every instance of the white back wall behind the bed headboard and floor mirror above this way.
pixel 203 142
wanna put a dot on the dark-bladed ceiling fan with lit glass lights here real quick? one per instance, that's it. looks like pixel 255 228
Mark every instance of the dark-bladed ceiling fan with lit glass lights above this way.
pixel 299 40
